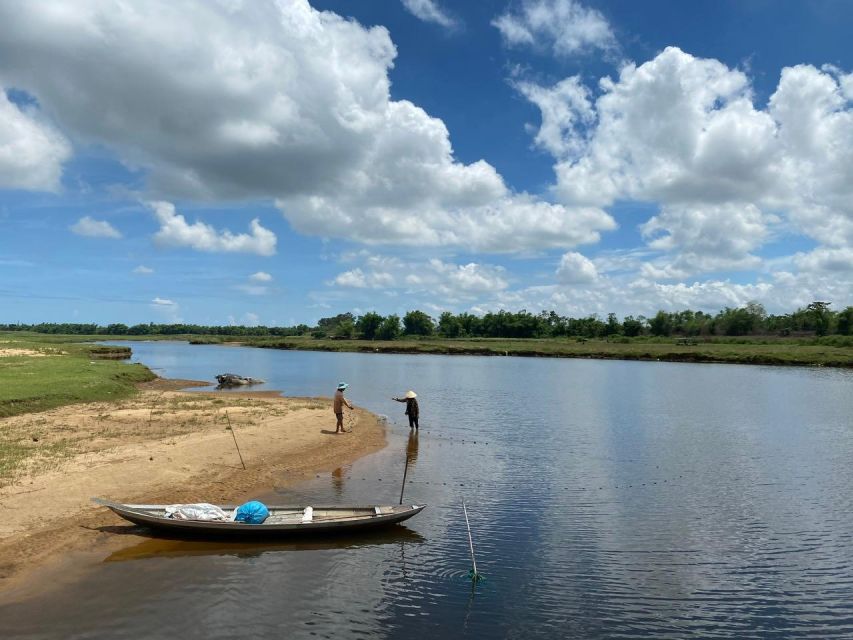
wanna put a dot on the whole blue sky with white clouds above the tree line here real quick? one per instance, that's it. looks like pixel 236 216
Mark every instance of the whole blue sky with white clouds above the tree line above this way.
pixel 258 162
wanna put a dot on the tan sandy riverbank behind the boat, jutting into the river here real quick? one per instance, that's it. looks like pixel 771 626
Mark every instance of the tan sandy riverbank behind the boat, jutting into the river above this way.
pixel 161 446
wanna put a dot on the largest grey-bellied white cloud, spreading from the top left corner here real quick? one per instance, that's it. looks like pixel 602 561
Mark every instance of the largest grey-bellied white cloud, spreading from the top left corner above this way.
pixel 271 100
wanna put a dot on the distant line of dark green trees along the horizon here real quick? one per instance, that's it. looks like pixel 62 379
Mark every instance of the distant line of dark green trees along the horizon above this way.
pixel 750 320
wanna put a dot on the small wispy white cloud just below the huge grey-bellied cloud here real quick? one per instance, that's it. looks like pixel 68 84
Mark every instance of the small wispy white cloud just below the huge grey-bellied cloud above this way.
pixel 175 231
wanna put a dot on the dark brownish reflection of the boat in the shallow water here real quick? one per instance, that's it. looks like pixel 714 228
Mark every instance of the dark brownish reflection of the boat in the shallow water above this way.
pixel 179 548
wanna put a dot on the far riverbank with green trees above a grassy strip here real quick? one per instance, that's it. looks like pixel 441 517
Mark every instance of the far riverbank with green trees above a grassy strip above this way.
pixel 814 335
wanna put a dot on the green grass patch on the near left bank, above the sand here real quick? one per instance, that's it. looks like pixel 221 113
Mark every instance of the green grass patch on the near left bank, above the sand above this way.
pixel 41 372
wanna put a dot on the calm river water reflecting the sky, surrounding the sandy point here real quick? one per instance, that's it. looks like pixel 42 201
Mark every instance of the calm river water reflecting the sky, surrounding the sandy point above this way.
pixel 607 499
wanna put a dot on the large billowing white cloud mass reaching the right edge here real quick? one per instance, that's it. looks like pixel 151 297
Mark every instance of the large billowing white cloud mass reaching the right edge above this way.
pixel 685 134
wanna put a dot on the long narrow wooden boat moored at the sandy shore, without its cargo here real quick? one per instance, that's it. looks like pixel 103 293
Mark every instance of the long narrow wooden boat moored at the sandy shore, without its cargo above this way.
pixel 282 520
